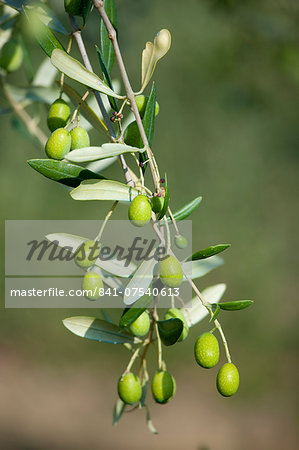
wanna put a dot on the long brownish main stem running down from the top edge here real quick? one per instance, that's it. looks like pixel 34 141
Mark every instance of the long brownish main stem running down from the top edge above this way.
pixel 99 5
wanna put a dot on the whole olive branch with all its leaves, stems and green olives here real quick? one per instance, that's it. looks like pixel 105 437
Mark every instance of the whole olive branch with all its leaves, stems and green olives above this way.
pixel 126 119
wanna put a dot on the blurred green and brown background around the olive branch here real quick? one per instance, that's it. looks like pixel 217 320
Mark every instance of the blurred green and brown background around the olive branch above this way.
pixel 227 130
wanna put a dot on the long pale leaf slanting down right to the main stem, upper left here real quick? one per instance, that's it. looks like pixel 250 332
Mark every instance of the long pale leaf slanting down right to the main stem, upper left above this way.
pixel 75 70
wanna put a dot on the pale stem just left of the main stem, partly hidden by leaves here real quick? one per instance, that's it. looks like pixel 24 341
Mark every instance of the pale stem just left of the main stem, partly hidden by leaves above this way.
pixel 77 35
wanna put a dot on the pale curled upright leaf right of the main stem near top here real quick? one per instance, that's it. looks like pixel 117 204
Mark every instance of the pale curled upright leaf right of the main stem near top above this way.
pixel 151 55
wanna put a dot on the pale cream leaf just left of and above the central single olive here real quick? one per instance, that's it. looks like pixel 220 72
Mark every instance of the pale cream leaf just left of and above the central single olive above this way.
pixel 104 190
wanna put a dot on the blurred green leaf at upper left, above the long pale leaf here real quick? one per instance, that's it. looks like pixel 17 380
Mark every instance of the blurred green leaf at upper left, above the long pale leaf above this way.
pixel 43 34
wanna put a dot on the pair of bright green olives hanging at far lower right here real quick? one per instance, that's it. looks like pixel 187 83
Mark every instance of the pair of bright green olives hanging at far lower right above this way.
pixel 206 352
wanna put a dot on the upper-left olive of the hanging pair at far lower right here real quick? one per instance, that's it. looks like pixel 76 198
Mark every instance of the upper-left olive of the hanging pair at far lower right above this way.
pixel 206 350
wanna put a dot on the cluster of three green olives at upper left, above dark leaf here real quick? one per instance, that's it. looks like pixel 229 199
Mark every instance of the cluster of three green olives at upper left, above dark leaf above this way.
pixel 61 140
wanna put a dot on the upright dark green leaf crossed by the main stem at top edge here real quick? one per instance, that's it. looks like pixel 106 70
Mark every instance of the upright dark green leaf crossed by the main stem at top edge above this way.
pixel 106 44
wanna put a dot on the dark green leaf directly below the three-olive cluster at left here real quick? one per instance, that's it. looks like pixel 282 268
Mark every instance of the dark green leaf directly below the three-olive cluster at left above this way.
pixel 65 173
